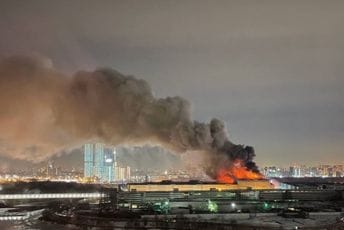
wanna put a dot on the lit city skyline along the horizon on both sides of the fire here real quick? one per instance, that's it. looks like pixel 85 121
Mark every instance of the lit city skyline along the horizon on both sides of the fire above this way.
pixel 92 169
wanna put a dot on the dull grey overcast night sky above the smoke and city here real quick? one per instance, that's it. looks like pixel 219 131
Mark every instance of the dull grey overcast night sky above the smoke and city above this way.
pixel 272 70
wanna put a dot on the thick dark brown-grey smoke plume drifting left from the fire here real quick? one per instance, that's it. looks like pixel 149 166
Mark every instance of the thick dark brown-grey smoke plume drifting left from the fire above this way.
pixel 43 111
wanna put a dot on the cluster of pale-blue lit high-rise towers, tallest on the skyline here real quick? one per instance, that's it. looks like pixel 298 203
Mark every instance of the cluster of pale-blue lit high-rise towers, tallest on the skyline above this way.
pixel 99 162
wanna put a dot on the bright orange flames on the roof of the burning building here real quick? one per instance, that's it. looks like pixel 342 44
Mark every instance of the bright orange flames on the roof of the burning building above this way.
pixel 237 171
